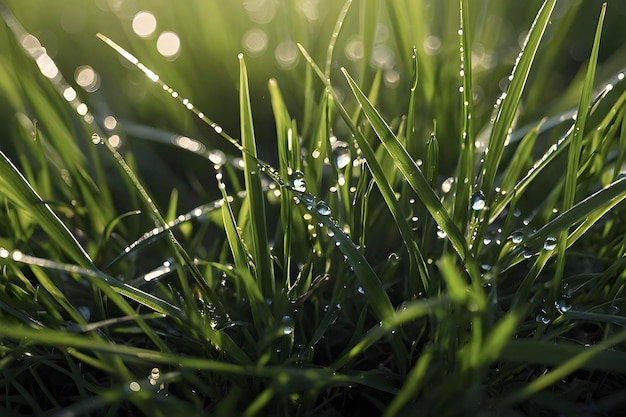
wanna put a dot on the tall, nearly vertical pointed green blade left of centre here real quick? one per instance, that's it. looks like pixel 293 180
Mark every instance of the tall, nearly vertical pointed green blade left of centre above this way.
pixel 254 189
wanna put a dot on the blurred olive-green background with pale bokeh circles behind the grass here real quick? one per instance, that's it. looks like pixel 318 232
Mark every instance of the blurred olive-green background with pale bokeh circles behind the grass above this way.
pixel 193 46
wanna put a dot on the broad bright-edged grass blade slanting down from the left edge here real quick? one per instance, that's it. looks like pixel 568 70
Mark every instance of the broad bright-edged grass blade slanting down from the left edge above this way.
pixel 17 189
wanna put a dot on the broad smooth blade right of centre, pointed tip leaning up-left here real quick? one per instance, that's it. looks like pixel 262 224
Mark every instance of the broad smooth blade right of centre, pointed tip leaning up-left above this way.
pixel 416 179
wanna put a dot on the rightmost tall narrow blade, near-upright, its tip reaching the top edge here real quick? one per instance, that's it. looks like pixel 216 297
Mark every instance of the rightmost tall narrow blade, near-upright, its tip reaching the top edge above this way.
pixel 575 147
